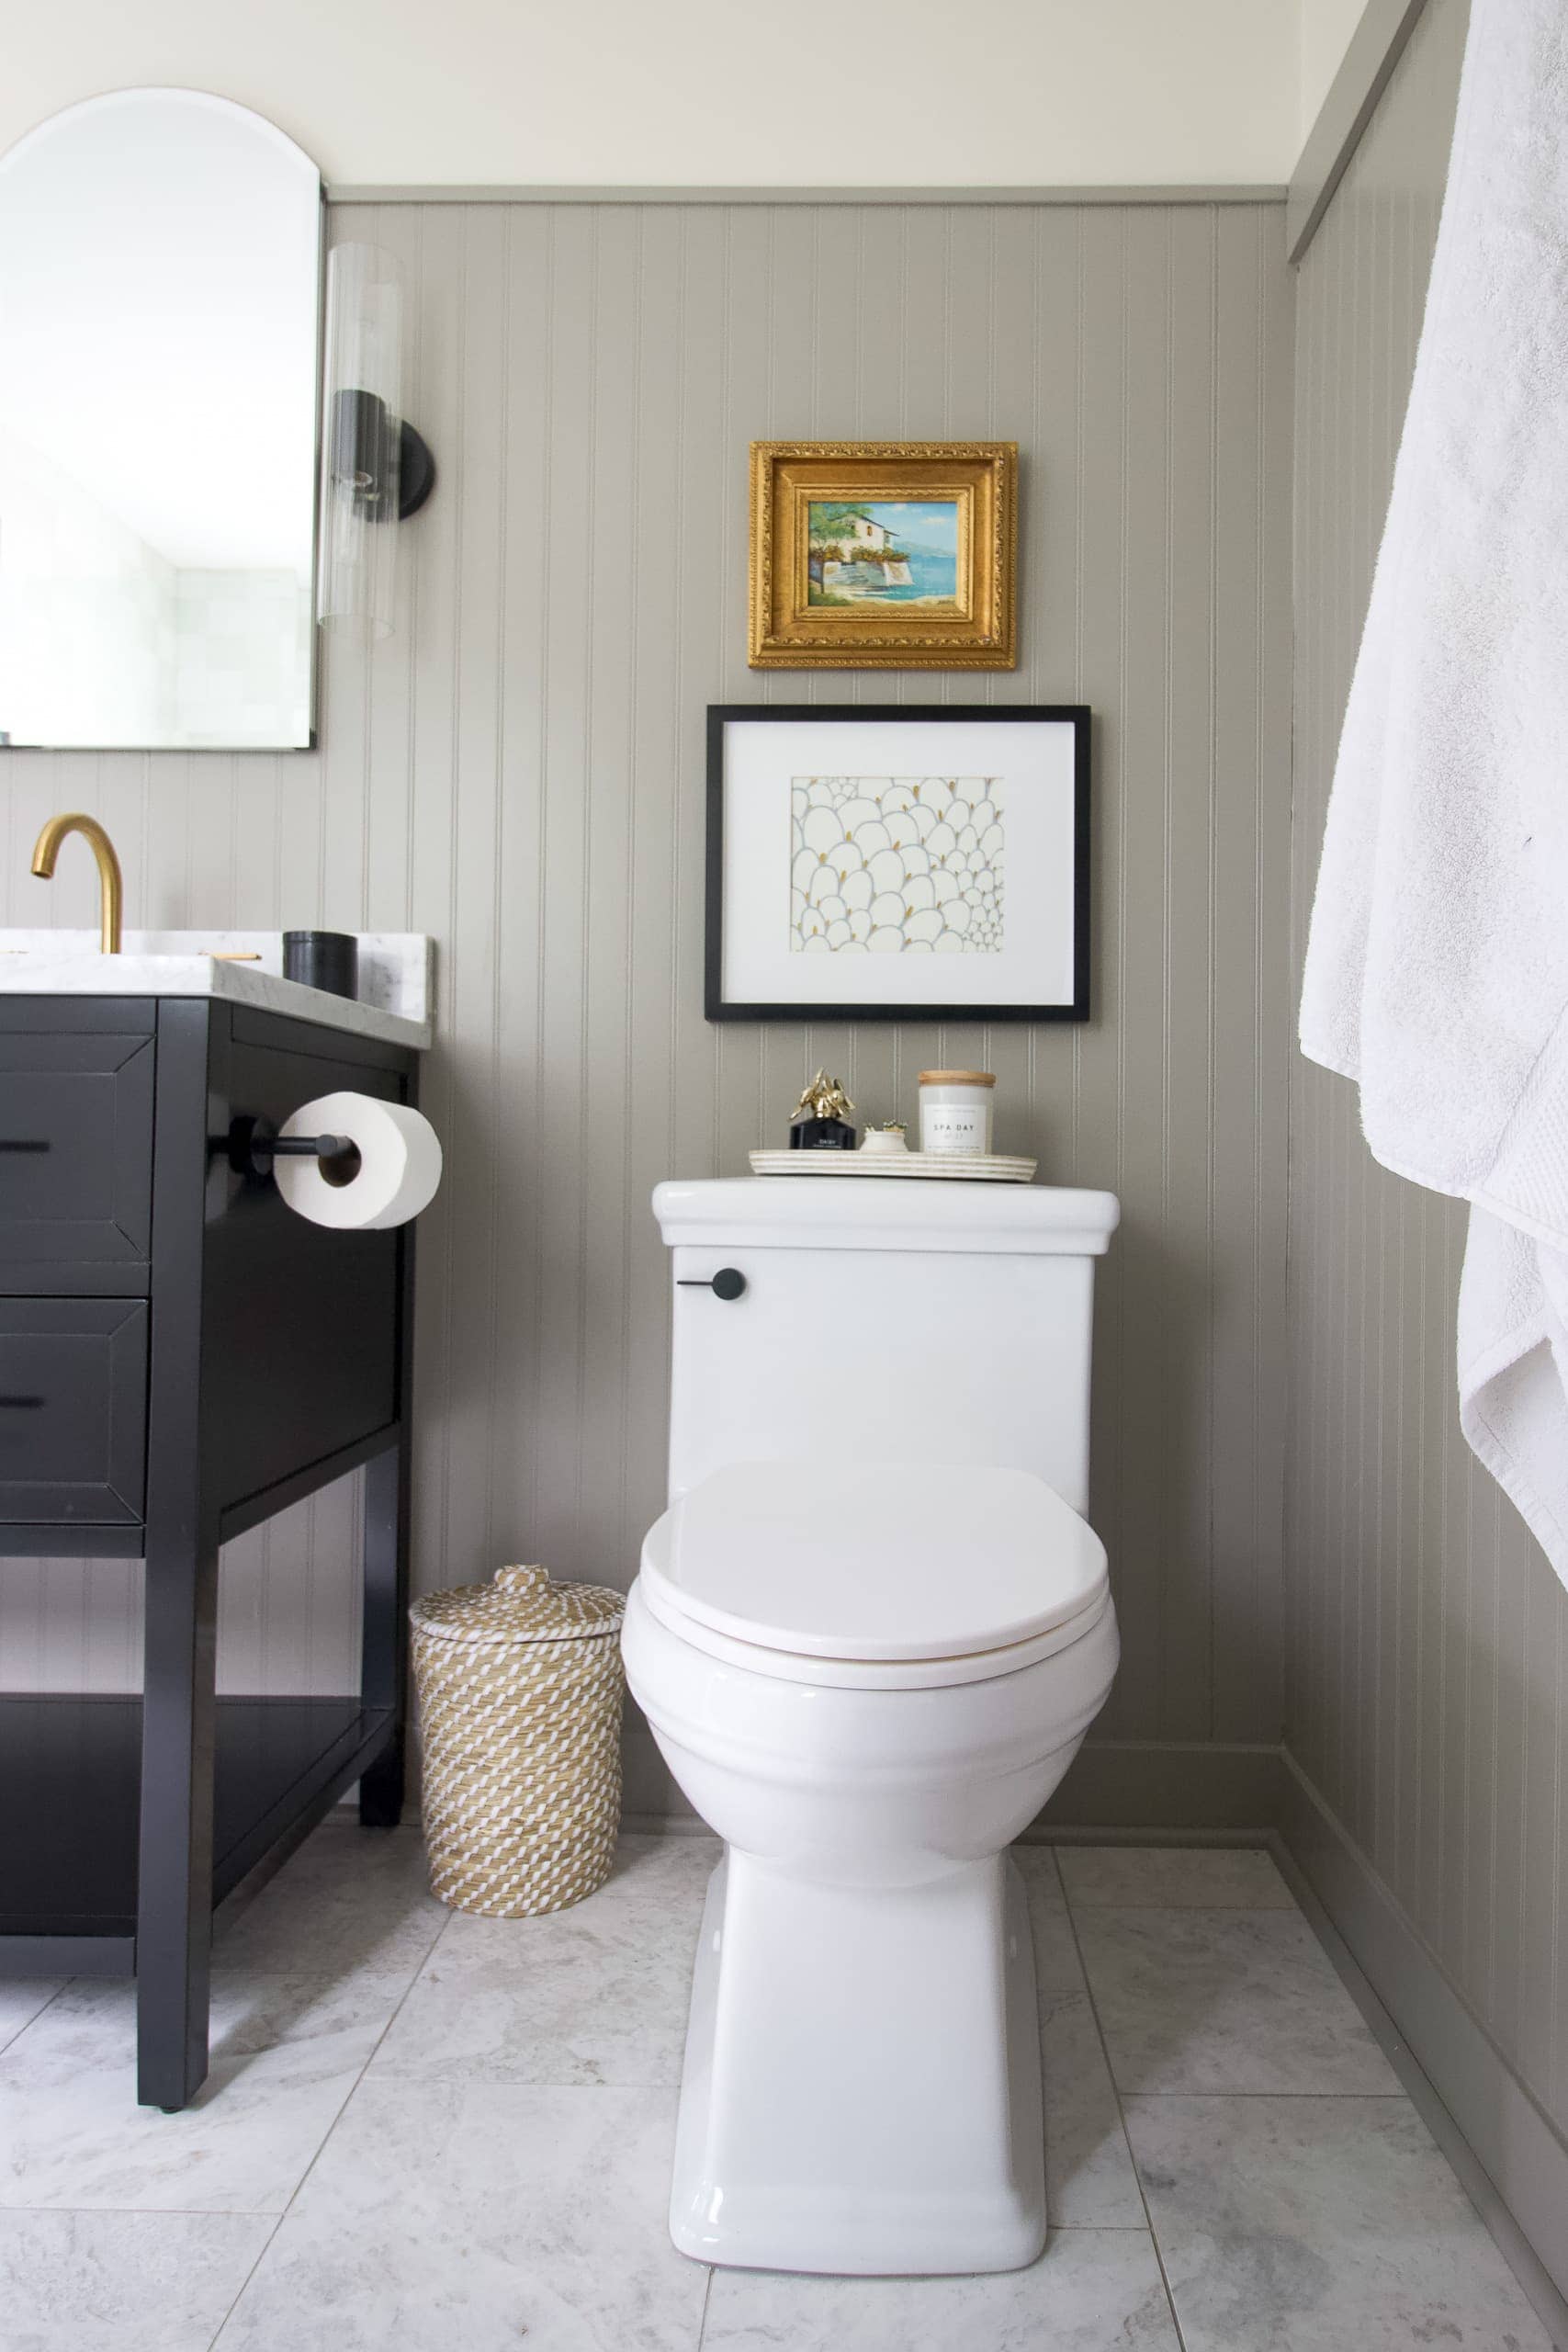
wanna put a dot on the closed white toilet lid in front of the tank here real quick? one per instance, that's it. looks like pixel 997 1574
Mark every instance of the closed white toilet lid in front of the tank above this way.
pixel 876 1561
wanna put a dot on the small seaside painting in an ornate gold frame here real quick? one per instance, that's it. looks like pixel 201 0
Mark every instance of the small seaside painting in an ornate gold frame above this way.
pixel 885 556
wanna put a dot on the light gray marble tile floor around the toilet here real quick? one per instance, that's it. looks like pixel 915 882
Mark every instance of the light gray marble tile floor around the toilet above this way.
pixel 427 2130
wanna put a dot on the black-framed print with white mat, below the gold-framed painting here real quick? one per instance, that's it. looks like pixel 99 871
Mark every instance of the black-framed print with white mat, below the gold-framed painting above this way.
pixel 878 862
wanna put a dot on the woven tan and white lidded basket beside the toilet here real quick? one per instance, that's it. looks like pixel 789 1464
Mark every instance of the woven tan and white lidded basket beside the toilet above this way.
pixel 521 1704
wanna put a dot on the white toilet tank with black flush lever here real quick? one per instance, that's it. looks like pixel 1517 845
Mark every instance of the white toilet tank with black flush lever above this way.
pixel 883 1321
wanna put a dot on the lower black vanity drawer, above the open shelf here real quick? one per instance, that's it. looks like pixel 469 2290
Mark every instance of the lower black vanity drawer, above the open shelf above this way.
pixel 74 1405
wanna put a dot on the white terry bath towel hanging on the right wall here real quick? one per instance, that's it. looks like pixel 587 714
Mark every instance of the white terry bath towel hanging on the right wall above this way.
pixel 1438 968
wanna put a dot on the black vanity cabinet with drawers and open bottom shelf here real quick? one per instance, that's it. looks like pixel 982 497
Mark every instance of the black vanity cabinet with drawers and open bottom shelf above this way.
pixel 180 1358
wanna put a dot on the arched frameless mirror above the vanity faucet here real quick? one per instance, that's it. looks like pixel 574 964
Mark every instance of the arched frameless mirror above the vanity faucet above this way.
pixel 161 267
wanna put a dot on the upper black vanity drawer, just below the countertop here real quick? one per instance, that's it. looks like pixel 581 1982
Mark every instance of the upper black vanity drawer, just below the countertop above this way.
pixel 76 1137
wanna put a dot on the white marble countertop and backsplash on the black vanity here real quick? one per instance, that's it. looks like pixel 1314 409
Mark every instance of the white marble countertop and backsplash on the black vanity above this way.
pixel 396 975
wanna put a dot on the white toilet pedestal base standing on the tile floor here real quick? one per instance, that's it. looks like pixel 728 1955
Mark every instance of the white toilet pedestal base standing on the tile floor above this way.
pixel 862 2087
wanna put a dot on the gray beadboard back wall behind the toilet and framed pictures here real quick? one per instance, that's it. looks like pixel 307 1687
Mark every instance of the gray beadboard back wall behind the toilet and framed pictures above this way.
pixel 521 773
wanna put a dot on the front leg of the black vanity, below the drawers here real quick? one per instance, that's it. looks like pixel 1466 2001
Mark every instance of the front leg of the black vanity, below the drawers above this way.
pixel 175 1873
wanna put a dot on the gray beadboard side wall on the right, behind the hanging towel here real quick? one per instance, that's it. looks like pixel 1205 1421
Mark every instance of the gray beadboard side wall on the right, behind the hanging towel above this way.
pixel 1428 1638
